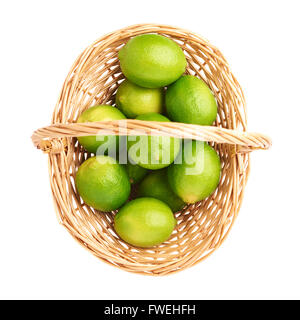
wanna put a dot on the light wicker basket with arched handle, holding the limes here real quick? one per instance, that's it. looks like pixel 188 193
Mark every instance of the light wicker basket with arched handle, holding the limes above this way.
pixel 202 227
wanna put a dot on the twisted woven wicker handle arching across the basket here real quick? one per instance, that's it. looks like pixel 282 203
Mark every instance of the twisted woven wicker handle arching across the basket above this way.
pixel 50 139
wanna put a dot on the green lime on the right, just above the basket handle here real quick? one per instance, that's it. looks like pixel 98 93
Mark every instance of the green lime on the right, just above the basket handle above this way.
pixel 190 100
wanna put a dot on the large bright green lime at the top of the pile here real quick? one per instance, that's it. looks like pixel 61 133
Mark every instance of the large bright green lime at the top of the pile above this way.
pixel 152 60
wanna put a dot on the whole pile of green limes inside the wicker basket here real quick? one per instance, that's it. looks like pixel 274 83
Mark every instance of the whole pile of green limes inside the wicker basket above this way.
pixel 167 173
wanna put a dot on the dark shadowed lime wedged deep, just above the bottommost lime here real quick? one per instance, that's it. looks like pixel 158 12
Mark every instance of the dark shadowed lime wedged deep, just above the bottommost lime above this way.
pixel 156 185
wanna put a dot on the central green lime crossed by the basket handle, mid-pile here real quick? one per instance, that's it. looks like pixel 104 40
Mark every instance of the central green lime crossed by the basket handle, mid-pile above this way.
pixel 153 152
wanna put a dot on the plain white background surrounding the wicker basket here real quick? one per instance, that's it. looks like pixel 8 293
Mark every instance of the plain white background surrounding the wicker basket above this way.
pixel 39 42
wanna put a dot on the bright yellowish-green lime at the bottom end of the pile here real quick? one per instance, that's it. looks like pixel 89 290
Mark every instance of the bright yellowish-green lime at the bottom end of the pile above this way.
pixel 145 222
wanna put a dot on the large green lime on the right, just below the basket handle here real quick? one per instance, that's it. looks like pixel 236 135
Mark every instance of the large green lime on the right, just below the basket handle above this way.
pixel 199 173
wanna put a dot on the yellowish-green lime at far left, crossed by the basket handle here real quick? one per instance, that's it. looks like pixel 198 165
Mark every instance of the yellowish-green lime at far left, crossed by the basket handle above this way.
pixel 99 113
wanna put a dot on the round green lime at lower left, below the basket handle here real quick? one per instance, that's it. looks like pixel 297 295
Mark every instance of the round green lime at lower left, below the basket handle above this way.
pixel 103 183
